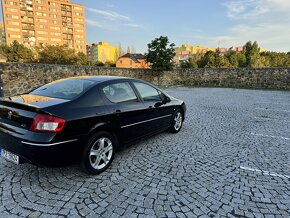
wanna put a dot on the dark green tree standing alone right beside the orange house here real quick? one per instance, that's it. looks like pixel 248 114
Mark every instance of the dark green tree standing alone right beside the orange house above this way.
pixel 160 54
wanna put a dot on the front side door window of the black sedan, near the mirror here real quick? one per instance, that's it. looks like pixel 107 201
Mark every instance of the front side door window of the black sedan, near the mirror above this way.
pixel 148 93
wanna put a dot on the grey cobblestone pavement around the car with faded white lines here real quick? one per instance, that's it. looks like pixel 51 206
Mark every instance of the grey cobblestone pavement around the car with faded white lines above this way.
pixel 231 159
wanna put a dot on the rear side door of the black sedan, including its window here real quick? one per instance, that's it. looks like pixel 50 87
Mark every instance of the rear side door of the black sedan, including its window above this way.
pixel 126 109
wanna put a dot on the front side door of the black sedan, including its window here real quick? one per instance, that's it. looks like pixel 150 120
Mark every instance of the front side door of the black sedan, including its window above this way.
pixel 158 111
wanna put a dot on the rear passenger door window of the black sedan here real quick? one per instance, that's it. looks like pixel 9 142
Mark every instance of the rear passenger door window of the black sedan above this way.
pixel 119 93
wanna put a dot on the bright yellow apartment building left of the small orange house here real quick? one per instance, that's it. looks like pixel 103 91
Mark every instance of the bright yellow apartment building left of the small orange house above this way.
pixel 102 52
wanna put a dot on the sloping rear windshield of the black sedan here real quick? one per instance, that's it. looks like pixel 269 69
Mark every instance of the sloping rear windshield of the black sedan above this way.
pixel 65 89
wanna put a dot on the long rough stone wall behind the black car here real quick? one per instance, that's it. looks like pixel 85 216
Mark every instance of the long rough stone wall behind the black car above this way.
pixel 18 78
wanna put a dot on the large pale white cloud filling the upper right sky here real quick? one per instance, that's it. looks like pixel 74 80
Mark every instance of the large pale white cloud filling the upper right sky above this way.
pixel 265 21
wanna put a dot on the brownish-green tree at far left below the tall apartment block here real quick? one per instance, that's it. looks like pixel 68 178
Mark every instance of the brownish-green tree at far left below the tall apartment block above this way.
pixel 16 52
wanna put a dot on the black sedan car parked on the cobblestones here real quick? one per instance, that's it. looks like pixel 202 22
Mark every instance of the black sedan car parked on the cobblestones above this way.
pixel 84 119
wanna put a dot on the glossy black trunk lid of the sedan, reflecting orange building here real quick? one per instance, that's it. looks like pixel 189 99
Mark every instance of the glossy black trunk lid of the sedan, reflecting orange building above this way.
pixel 35 100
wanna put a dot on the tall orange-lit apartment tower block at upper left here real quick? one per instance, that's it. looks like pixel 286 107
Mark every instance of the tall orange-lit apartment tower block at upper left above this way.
pixel 52 22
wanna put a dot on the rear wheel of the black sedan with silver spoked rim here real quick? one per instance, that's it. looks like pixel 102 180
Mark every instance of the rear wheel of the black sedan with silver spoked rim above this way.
pixel 99 153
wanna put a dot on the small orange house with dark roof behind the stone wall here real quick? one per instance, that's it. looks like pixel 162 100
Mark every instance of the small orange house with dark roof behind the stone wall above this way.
pixel 132 61
